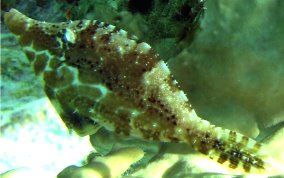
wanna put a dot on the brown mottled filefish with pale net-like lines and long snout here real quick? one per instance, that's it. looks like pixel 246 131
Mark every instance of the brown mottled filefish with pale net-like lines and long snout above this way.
pixel 98 75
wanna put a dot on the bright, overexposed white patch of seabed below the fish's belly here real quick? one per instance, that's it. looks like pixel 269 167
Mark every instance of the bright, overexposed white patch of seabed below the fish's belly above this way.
pixel 34 137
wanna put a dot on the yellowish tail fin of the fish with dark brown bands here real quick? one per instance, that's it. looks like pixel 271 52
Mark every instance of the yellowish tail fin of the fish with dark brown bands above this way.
pixel 229 147
